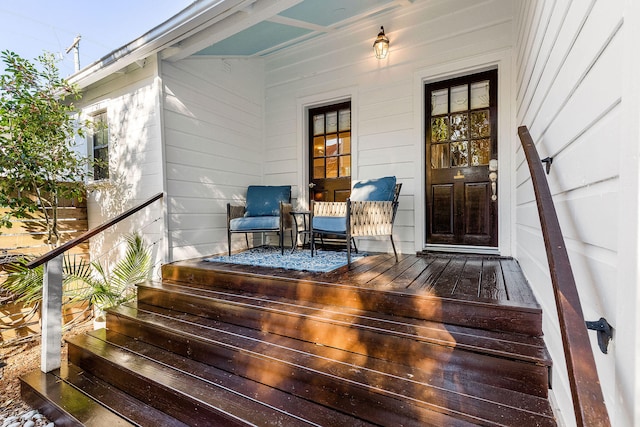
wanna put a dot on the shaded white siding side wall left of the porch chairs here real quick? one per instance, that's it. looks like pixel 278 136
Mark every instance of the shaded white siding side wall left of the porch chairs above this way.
pixel 213 121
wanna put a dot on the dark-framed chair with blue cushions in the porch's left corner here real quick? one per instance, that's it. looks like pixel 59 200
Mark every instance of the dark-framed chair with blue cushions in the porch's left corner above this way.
pixel 267 209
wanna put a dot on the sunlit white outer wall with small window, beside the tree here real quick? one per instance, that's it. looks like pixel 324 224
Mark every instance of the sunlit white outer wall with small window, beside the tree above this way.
pixel 132 104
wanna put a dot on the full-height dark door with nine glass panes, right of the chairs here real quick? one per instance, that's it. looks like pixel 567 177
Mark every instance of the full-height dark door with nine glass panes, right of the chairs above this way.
pixel 461 143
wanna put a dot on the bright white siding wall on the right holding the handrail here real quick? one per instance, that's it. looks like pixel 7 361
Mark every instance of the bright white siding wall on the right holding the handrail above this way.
pixel 572 92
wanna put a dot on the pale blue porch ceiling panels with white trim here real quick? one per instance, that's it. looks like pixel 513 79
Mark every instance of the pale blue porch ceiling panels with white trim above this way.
pixel 260 27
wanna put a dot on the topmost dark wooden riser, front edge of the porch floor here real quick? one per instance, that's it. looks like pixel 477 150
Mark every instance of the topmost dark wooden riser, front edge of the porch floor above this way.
pixel 508 317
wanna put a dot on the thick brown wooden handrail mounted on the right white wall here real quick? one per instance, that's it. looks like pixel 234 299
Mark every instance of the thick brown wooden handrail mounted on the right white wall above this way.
pixel 588 400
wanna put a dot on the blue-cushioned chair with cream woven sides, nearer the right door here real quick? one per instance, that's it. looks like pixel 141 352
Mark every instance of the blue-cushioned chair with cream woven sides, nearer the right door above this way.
pixel 369 211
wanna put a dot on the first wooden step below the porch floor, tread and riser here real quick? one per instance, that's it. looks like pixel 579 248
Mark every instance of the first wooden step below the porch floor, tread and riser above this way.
pixel 513 361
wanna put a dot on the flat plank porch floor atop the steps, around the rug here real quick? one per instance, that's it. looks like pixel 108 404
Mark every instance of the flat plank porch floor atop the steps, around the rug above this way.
pixel 487 279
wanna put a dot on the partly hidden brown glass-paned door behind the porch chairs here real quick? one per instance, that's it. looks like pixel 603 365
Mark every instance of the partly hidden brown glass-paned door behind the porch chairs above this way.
pixel 330 152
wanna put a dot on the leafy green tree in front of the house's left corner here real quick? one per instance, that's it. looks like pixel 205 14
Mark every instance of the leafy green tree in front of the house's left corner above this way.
pixel 38 127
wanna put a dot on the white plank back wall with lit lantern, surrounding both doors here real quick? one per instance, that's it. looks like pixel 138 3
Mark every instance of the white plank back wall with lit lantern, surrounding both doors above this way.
pixel 387 139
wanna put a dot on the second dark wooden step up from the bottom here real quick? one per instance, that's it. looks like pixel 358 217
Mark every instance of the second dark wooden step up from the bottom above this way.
pixel 199 394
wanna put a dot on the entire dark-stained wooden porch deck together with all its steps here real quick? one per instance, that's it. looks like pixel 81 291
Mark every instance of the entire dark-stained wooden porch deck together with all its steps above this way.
pixel 427 341
